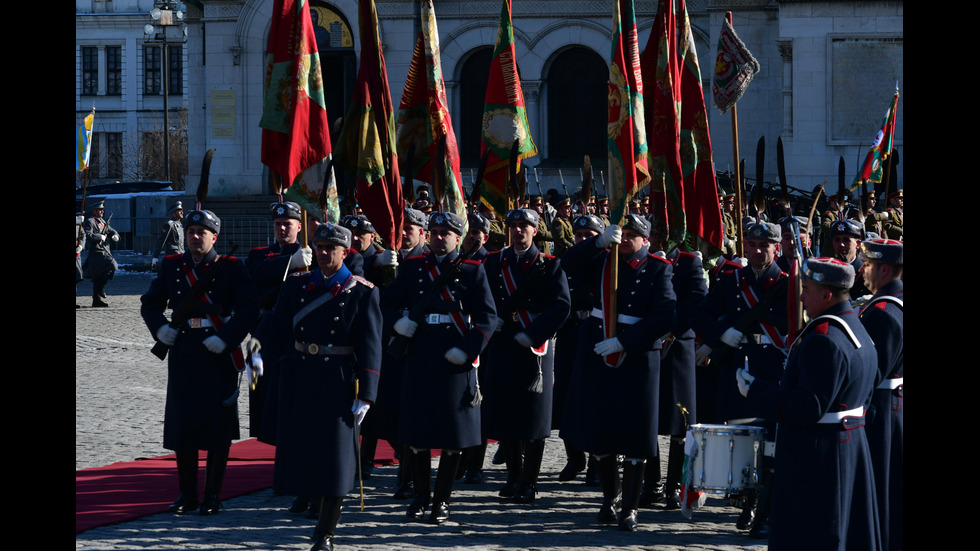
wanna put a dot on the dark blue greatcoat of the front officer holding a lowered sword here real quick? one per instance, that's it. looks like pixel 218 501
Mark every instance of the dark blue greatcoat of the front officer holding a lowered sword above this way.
pixel 315 452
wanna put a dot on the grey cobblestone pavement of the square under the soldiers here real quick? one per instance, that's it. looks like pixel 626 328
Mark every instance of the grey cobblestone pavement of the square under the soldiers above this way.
pixel 119 400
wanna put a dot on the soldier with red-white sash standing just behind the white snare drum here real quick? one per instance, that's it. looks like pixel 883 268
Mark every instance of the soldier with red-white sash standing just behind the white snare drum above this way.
pixel 736 319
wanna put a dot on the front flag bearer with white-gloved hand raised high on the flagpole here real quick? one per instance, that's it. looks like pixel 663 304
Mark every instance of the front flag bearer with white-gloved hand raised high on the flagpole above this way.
pixel 612 404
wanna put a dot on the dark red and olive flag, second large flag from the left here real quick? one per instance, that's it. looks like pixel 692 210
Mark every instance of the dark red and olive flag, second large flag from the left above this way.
pixel 367 141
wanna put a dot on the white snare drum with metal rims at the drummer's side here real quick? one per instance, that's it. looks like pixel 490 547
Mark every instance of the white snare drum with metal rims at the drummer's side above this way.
pixel 729 457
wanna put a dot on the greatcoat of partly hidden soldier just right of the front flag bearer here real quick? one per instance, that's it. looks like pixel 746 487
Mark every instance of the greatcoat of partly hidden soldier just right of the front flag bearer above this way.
pixel 677 372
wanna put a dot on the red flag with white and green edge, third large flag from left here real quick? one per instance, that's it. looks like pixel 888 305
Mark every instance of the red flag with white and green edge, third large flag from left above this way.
pixel 423 120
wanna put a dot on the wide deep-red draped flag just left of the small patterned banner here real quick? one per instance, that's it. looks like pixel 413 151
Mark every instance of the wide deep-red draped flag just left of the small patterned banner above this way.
pixel 683 188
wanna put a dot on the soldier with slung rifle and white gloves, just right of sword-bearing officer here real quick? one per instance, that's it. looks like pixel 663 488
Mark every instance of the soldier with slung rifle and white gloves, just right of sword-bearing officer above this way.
pixel 440 392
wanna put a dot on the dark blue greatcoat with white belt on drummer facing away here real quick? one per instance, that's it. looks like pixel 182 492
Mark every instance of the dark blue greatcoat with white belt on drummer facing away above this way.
pixel 823 494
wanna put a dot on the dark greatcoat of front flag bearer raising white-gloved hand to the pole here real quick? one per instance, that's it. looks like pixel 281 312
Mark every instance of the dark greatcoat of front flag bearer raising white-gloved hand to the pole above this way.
pixel 615 410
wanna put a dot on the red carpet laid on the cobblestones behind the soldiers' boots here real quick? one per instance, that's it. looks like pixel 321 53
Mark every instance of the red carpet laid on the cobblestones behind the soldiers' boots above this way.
pixel 126 491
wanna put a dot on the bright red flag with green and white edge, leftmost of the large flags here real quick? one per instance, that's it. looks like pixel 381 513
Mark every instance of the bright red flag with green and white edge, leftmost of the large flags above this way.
pixel 295 131
